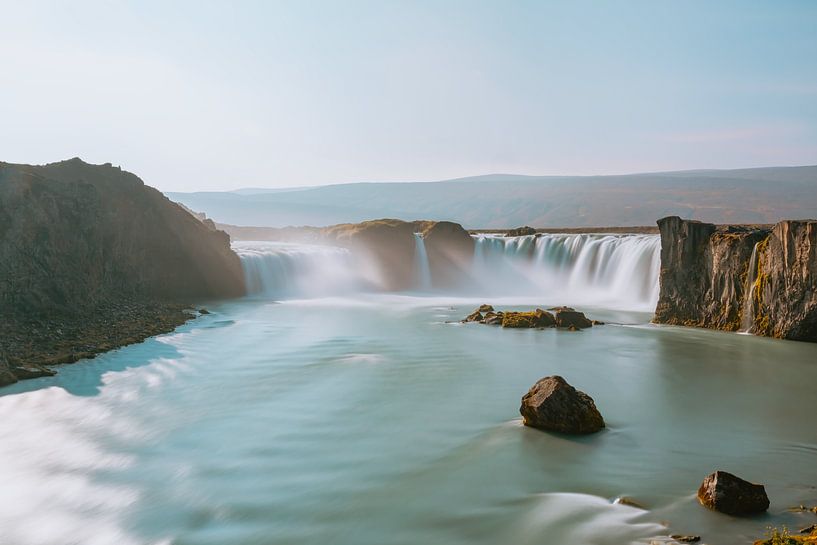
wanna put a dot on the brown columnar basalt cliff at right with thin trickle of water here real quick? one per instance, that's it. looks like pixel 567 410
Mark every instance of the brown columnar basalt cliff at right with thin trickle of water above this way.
pixel 758 279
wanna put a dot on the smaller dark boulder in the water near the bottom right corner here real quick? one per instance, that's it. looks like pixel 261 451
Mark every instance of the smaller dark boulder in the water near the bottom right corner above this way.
pixel 724 492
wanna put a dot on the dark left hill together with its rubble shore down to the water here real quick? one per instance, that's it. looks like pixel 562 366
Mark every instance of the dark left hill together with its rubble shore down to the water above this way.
pixel 79 243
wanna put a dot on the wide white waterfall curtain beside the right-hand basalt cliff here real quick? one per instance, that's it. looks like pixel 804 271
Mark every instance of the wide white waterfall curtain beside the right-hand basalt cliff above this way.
pixel 608 270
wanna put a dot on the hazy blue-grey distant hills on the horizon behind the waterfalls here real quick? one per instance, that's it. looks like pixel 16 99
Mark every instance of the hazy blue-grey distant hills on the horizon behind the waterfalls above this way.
pixel 756 195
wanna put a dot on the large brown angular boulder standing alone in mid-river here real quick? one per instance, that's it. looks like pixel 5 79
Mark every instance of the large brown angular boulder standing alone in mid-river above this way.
pixel 554 405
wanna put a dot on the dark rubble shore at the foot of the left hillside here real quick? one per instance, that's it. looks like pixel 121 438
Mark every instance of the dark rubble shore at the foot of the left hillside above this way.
pixel 29 347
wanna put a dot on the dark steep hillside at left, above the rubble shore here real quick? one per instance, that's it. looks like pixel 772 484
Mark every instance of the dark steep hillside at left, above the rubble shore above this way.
pixel 73 235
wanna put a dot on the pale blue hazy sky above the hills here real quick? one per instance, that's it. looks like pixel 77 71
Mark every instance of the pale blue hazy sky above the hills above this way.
pixel 196 95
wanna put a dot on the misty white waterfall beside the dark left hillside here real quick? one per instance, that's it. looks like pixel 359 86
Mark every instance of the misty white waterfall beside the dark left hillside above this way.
pixel 284 270
